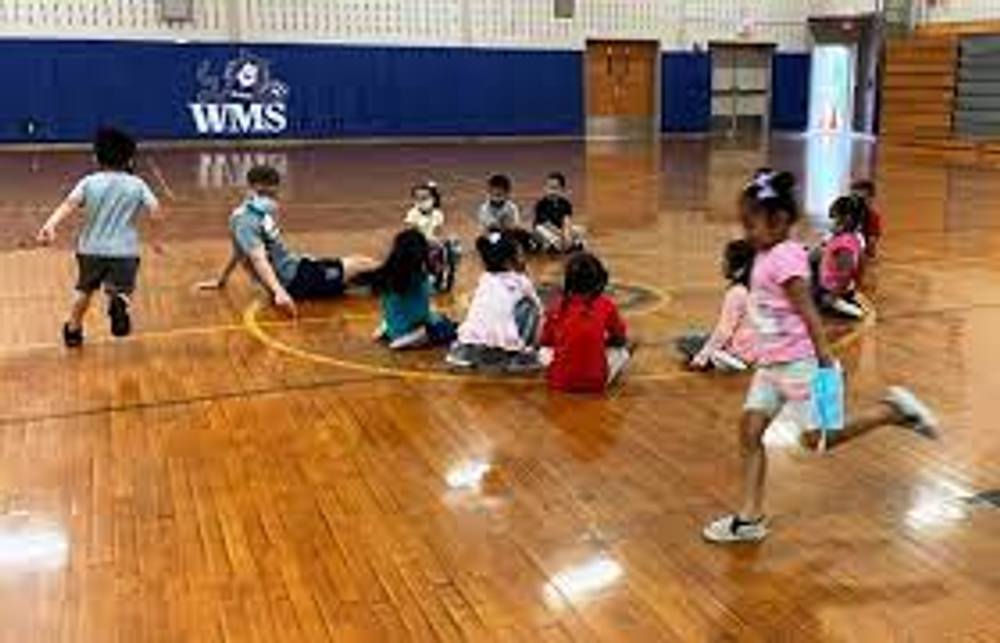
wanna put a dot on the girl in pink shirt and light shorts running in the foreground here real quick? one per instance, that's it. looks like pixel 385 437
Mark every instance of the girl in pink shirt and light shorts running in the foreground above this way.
pixel 791 346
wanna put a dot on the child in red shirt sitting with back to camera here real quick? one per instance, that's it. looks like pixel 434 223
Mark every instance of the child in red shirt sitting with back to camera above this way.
pixel 583 331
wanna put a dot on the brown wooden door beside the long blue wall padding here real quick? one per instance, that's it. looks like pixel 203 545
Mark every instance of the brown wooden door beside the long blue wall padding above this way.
pixel 621 78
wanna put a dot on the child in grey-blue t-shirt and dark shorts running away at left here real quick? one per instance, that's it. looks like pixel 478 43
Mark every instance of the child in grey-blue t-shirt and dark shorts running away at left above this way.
pixel 107 250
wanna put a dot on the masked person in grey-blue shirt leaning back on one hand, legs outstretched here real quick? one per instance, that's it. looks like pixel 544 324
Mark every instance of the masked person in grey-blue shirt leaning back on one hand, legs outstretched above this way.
pixel 259 247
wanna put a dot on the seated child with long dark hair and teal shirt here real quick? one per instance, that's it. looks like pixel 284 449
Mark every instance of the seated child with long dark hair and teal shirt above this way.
pixel 403 286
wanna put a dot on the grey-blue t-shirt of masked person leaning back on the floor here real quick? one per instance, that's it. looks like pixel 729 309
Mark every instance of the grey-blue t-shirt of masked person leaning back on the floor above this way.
pixel 253 225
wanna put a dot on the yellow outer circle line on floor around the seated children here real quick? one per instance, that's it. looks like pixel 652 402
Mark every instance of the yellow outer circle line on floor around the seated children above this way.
pixel 256 329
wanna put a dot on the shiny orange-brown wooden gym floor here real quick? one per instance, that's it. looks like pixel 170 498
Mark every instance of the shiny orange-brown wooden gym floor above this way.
pixel 225 475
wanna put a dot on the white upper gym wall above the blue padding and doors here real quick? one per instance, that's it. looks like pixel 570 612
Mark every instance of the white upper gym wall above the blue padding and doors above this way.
pixel 489 23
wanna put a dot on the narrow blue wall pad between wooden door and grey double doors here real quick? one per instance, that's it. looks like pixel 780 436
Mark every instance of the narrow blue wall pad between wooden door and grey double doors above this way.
pixel 687 92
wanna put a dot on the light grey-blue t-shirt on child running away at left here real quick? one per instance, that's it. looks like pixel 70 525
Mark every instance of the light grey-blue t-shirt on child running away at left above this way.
pixel 112 201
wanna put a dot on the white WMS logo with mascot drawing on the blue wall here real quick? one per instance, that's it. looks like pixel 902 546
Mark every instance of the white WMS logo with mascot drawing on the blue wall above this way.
pixel 245 99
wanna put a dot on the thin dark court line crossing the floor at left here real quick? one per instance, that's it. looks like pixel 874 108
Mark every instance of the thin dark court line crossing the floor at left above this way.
pixel 197 399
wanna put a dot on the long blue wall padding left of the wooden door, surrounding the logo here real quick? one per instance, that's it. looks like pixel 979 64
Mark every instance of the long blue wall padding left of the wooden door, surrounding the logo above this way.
pixel 70 87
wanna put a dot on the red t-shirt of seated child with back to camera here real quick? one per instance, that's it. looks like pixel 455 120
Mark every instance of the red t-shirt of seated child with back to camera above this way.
pixel 578 331
